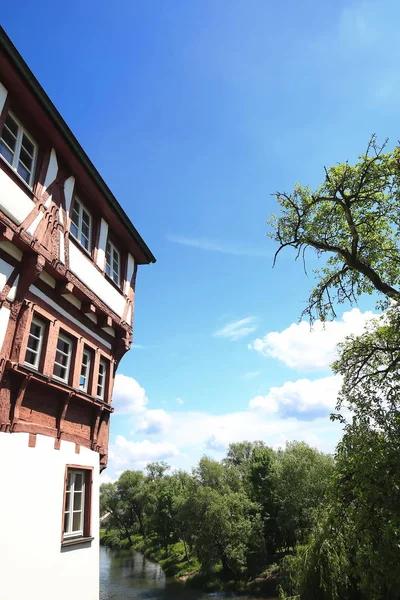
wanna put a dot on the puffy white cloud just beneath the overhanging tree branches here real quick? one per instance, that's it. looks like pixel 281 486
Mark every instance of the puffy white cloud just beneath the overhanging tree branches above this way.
pixel 302 347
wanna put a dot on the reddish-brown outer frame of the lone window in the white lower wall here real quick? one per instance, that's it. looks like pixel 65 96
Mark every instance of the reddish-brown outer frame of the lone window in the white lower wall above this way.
pixel 84 533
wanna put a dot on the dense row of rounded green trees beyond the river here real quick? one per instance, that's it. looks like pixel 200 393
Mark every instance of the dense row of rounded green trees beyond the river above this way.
pixel 237 515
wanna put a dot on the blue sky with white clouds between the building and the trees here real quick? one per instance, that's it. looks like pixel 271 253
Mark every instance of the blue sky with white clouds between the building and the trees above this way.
pixel 194 113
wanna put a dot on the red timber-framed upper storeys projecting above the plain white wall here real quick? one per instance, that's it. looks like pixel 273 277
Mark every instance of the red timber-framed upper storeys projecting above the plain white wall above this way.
pixel 42 287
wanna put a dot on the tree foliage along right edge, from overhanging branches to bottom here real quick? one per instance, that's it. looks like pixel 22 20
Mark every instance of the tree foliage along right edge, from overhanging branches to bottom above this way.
pixel 352 221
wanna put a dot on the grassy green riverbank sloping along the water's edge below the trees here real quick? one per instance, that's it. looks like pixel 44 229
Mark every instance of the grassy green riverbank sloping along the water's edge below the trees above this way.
pixel 174 563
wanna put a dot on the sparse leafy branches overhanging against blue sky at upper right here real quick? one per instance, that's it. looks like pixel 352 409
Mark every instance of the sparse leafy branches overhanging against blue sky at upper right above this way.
pixel 353 220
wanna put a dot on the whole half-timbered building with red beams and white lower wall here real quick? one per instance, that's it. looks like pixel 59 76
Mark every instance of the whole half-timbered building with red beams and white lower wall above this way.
pixel 68 262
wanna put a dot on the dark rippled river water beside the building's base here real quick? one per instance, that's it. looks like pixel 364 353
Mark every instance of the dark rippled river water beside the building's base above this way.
pixel 128 574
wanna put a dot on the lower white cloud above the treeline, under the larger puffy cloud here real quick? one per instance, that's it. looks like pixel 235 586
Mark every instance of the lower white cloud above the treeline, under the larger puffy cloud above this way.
pixel 300 397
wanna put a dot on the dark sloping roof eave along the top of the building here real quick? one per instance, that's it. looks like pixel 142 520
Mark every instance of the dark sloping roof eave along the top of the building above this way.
pixel 7 45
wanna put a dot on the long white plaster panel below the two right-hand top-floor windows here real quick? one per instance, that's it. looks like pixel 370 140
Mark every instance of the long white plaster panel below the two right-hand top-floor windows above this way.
pixel 83 268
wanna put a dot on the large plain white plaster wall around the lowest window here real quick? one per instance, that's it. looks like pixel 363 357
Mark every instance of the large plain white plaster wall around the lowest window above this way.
pixel 33 565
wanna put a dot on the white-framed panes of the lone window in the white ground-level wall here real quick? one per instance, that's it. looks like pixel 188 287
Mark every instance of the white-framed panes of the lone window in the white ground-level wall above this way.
pixel 74 507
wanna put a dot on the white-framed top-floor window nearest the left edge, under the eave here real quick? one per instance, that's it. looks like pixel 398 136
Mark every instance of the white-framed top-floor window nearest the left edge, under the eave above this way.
pixel 18 148
